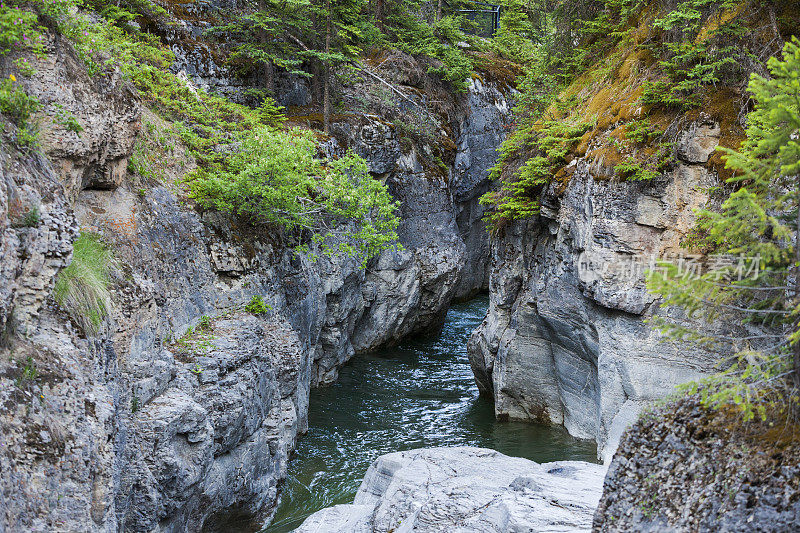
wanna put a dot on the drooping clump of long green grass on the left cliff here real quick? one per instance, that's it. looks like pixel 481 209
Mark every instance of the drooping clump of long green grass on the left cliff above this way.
pixel 82 288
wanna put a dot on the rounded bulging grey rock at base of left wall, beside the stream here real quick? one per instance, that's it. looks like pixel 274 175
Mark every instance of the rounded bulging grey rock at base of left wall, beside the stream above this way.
pixel 220 425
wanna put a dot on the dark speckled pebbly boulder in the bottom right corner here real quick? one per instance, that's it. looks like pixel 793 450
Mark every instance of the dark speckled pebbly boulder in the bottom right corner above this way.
pixel 684 467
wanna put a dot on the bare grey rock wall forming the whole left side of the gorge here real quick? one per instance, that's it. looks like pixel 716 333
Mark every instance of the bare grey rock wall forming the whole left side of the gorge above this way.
pixel 181 412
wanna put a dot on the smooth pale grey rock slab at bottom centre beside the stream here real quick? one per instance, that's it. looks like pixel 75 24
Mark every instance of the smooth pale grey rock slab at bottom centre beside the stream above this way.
pixel 466 490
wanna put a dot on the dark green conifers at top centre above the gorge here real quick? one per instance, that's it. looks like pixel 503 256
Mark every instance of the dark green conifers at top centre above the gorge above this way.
pixel 315 38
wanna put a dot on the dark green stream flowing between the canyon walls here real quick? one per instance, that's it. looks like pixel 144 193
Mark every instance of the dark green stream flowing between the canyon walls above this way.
pixel 418 394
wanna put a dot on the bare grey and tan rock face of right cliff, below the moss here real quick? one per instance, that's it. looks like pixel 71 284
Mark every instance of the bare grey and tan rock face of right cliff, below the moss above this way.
pixel 565 340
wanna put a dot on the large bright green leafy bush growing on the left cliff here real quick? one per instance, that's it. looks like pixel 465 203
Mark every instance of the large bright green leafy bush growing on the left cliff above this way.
pixel 275 178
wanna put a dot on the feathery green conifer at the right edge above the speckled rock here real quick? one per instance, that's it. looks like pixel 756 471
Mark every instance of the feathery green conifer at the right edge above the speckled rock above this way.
pixel 760 220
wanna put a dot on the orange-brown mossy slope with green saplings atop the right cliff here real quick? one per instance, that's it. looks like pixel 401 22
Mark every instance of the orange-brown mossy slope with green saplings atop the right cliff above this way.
pixel 666 57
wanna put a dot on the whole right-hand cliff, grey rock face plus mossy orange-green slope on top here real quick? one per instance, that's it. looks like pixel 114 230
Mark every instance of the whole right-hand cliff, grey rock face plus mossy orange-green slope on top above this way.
pixel 598 184
